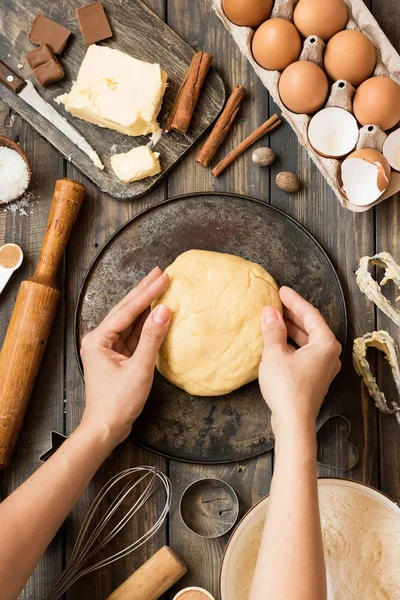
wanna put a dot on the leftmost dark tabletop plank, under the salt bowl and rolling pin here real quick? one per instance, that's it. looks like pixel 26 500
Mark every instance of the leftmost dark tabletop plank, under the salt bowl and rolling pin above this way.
pixel 45 410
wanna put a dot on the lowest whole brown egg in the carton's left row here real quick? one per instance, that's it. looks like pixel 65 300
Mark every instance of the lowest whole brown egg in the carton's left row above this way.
pixel 303 87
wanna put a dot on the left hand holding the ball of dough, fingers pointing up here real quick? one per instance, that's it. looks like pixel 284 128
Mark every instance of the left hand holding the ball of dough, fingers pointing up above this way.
pixel 119 358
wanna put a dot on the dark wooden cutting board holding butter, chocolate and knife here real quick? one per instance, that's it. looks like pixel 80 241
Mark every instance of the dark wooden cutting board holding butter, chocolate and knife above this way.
pixel 137 31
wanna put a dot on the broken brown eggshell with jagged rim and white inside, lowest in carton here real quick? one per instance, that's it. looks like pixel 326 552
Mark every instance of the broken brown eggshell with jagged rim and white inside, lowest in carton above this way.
pixel 365 176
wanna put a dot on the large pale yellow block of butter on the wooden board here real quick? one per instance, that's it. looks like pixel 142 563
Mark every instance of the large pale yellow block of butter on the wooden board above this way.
pixel 117 91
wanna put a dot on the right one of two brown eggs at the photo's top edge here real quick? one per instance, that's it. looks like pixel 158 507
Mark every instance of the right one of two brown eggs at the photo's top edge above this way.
pixel 324 19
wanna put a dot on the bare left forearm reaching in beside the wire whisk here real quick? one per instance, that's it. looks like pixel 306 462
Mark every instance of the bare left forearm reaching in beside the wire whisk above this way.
pixel 30 517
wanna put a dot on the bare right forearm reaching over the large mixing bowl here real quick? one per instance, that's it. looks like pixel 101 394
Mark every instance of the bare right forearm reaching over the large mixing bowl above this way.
pixel 291 559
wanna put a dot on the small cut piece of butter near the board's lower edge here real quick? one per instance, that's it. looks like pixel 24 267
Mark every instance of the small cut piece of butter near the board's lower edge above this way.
pixel 138 163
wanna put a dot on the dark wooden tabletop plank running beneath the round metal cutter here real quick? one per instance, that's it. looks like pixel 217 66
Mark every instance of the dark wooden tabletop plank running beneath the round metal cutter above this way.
pixel 251 480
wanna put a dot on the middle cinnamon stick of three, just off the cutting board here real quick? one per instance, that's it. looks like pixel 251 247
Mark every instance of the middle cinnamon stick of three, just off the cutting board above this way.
pixel 221 127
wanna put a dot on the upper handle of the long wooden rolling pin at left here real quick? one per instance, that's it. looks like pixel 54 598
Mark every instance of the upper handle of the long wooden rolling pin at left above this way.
pixel 67 200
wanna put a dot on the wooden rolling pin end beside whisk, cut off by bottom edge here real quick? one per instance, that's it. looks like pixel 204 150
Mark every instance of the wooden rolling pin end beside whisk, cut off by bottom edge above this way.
pixel 153 578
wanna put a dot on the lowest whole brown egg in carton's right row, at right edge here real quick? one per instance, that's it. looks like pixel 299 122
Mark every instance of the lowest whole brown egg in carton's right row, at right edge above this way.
pixel 377 102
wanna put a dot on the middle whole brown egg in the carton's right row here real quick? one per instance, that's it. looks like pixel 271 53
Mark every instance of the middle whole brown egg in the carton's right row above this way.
pixel 351 56
